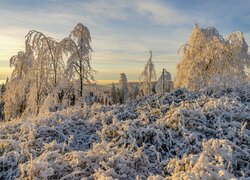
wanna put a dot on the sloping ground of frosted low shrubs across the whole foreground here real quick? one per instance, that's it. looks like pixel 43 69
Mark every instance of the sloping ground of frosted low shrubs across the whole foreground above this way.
pixel 179 135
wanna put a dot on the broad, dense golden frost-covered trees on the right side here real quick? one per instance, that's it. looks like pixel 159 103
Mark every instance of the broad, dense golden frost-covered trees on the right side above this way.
pixel 210 60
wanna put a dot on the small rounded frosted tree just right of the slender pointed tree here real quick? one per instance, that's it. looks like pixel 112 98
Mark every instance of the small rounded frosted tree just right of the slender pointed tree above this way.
pixel 164 84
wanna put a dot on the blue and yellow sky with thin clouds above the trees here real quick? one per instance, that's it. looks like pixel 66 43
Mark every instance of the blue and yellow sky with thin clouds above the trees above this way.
pixel 123 31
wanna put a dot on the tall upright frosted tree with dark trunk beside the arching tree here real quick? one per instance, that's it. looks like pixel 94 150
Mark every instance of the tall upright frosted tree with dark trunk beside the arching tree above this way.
pixel 77 47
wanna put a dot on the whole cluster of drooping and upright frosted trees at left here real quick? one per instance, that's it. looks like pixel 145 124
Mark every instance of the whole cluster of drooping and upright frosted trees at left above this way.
pixel 42 79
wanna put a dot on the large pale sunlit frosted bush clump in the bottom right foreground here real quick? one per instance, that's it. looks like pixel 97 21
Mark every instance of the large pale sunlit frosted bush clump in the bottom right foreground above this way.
pixel 215 161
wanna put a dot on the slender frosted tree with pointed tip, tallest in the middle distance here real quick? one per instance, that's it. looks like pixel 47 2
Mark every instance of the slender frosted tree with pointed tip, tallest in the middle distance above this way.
pixel 148 75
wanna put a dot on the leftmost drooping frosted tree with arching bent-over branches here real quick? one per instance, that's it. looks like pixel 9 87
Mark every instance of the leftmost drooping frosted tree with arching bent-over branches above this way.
pixel 36 72
